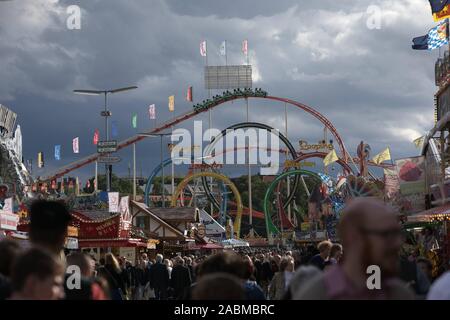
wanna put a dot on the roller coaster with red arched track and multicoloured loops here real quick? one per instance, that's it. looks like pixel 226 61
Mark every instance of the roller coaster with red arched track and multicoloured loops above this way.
pixel 323 183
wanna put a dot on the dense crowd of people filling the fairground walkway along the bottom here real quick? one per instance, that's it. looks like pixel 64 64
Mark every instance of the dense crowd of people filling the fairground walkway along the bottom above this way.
pixel 369 234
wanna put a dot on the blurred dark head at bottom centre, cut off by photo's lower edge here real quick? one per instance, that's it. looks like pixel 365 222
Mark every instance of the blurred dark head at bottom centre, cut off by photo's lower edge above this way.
pixel 219 286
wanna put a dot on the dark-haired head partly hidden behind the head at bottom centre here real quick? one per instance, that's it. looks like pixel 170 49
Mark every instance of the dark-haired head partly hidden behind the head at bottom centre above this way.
pixel 226 262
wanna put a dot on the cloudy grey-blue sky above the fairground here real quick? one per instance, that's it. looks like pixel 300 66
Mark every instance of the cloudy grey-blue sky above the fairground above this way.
pixel 368 82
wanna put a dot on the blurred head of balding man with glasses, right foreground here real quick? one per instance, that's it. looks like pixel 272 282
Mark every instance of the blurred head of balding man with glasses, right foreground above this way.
pixel 371 235
